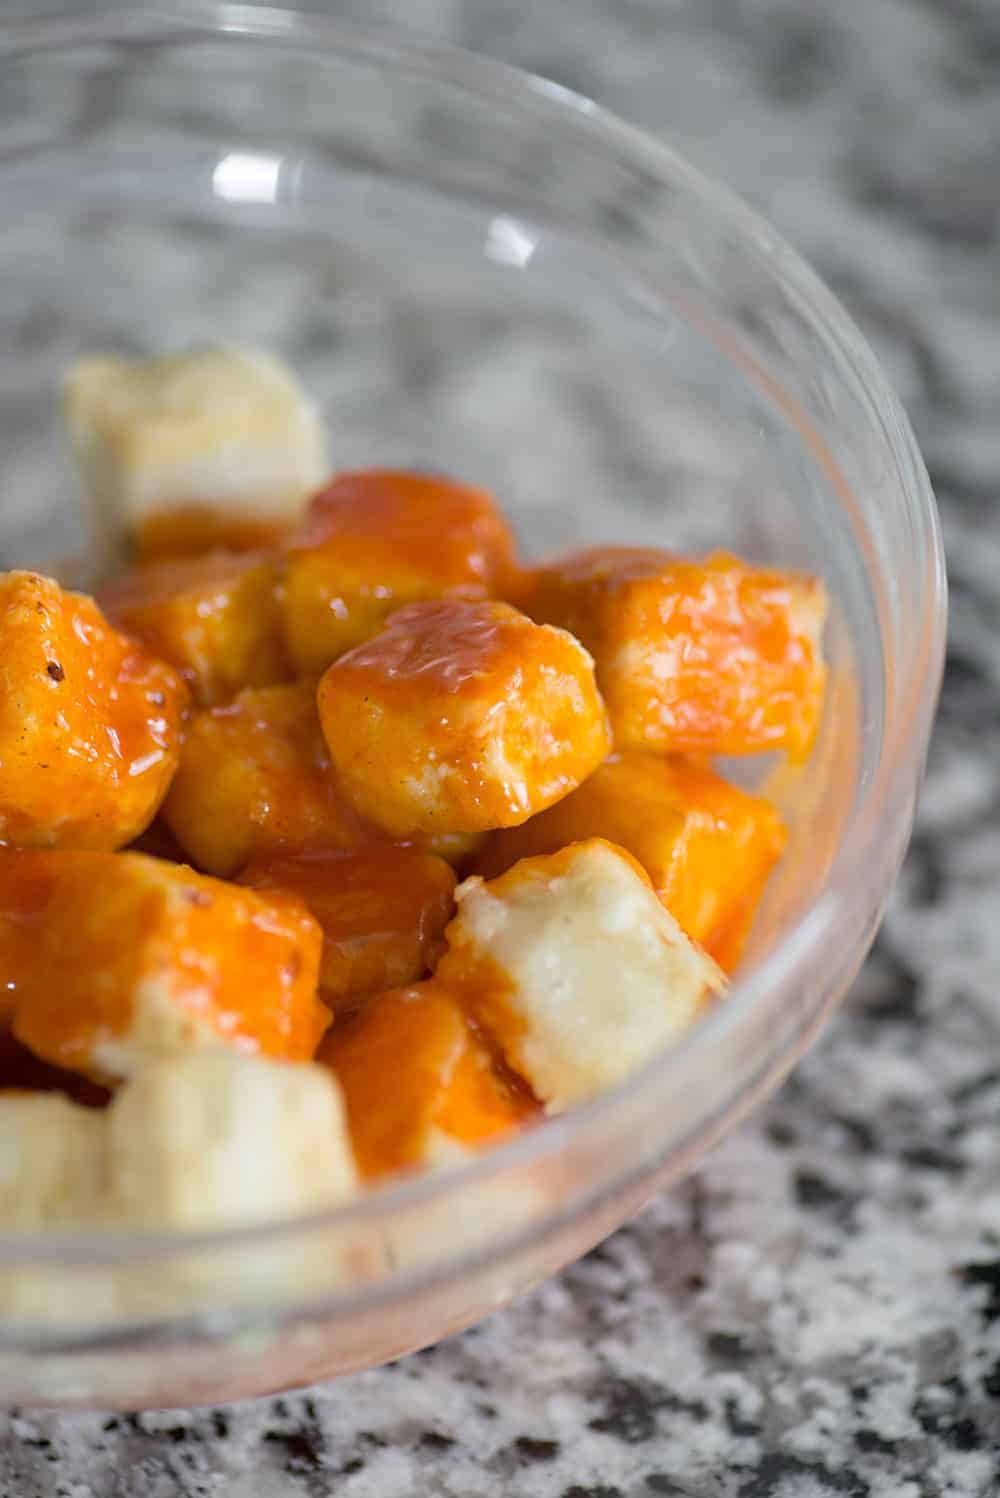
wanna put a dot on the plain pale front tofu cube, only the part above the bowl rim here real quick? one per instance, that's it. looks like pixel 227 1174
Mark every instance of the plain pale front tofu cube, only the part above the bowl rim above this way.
pixel 219 1141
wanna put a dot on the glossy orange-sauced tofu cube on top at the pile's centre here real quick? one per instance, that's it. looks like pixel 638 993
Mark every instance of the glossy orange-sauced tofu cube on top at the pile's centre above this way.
pixel 460 718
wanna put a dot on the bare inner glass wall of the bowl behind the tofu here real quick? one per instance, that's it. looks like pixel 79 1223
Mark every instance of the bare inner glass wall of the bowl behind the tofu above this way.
pixel 444 305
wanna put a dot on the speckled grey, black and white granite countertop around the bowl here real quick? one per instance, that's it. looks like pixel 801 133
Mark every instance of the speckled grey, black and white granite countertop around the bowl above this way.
pixel 818 1310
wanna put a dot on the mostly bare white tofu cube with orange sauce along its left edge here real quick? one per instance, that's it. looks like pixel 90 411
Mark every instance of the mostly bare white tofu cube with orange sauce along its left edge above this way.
pixel 576 968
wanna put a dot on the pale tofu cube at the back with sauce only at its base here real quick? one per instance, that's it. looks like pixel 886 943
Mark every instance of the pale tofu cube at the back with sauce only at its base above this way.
pixel 219 426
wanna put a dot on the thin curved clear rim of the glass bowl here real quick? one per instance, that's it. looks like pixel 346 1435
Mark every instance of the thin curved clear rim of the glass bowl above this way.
pixel 908 709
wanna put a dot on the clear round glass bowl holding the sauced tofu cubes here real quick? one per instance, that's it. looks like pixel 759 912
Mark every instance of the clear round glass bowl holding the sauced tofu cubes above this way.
pixel 481 273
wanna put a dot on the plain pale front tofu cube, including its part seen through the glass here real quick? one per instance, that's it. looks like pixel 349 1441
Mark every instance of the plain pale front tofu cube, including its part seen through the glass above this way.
pixel 216 1142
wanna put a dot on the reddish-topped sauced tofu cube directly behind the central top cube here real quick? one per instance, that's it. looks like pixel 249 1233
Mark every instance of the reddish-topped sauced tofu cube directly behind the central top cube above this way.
pixel 375 542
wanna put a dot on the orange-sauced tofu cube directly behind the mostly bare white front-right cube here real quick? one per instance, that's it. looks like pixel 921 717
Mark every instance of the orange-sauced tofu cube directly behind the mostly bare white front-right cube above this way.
pixel 707 846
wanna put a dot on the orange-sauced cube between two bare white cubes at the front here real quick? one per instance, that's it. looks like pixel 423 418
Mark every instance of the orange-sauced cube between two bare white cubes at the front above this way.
pixel 418 1082
